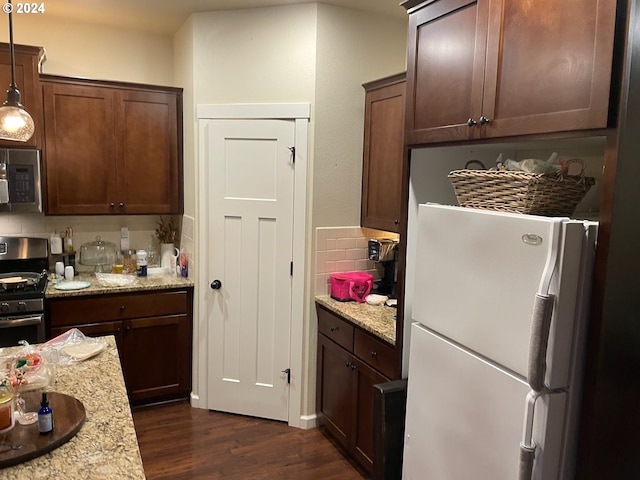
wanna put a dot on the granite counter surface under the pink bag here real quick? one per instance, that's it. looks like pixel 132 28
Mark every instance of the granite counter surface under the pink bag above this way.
pixel 377 320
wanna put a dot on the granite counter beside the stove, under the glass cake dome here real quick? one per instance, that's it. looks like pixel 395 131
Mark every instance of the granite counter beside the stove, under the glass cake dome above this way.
pixel 151 282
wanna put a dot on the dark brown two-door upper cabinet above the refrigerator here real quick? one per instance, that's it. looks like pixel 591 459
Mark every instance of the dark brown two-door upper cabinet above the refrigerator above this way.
pixel 496 68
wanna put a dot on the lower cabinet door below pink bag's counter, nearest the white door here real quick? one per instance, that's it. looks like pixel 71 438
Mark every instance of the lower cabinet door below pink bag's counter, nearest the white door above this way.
pixel 334 391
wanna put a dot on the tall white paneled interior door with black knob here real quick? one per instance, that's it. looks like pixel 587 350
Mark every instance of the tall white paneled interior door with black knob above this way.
pixel 250 240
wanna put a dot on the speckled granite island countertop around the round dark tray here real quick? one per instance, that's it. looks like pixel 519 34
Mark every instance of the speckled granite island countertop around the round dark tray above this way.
pixel 106 447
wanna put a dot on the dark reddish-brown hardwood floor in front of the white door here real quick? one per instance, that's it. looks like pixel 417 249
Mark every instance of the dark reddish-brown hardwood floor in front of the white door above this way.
pixel 180 442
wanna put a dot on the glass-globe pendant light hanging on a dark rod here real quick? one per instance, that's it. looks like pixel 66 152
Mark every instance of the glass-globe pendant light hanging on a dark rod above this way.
pixel 15 122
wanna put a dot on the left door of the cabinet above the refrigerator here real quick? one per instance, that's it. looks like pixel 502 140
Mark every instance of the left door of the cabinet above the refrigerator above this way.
pixel 445 70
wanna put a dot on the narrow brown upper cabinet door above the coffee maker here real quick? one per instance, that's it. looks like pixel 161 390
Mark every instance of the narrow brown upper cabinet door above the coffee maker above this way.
pixel 382 157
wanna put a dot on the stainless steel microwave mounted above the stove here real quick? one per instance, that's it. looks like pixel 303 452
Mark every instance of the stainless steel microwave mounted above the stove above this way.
pixel 20 187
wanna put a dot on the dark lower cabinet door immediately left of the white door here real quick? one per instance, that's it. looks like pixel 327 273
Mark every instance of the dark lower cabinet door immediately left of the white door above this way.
pixel 157 360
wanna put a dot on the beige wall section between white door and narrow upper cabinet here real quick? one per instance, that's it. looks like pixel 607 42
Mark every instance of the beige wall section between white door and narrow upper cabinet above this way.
pixel 353 48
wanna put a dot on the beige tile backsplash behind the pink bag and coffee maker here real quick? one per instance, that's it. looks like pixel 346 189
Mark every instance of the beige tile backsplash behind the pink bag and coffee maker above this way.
pixel 343 249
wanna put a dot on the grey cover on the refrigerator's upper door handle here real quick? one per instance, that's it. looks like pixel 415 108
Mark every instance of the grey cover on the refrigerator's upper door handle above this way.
pixel 539 340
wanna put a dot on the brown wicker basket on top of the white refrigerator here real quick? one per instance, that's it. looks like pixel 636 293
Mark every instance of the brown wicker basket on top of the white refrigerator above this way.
pixel 521 192
